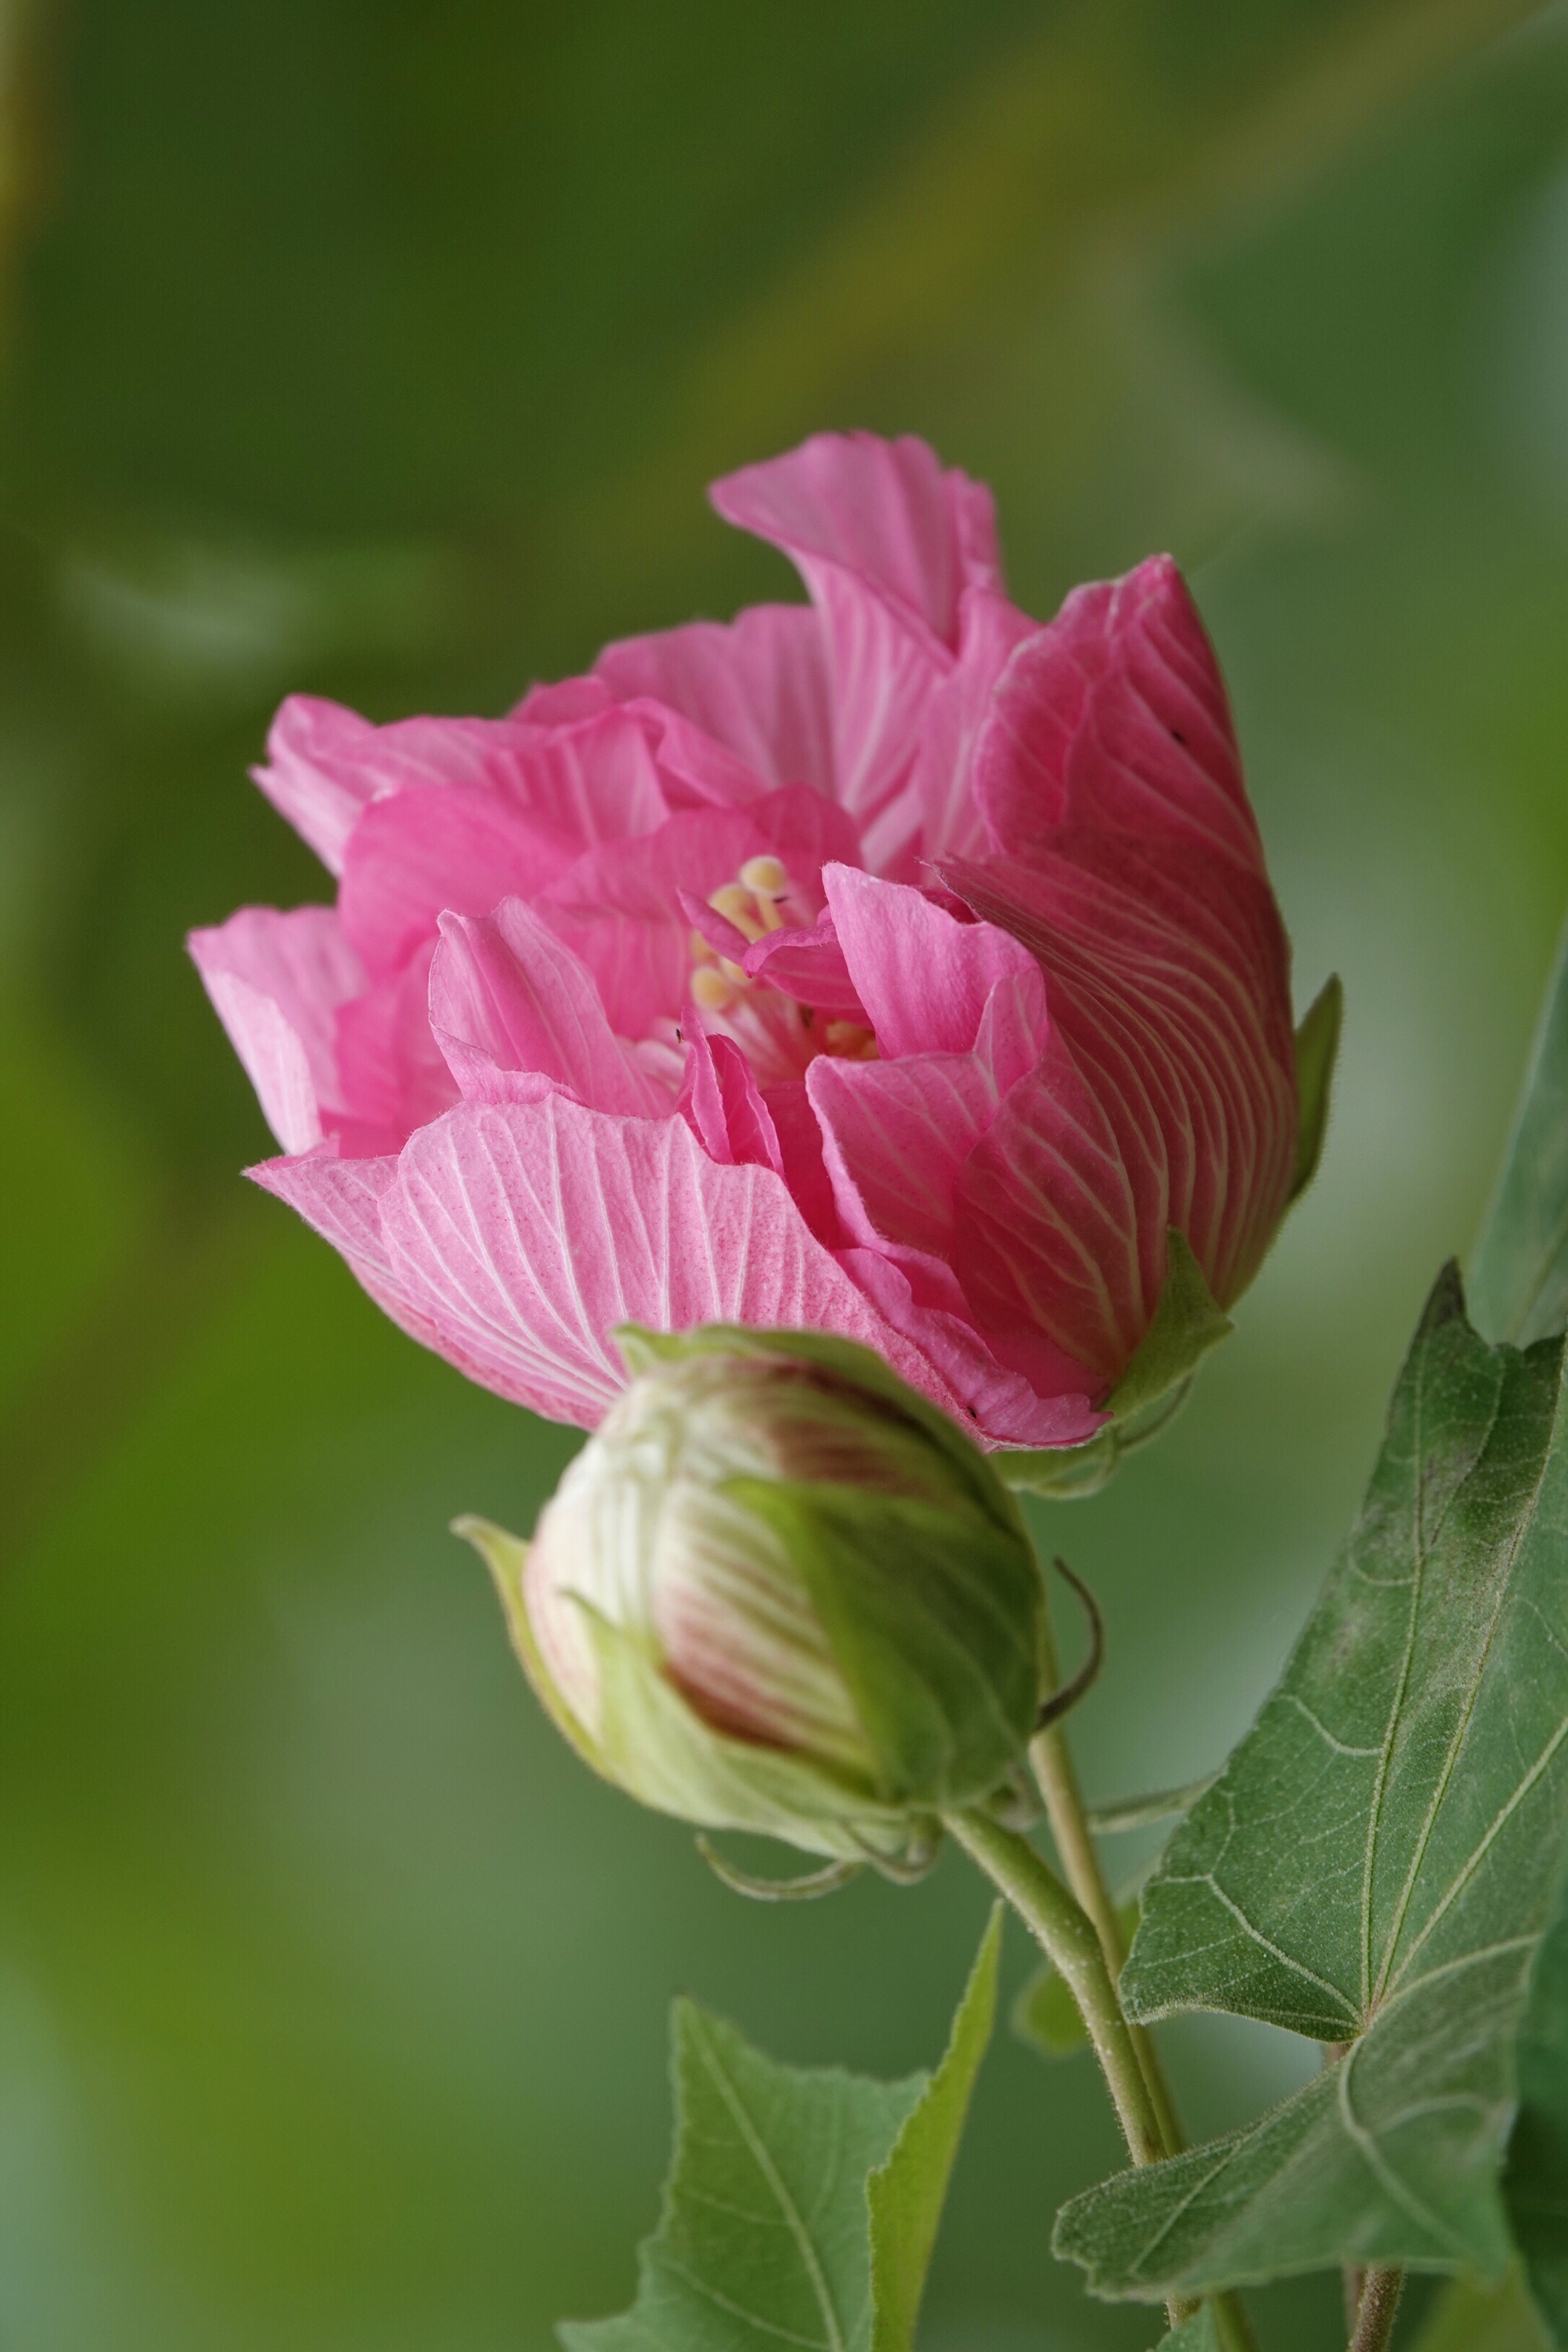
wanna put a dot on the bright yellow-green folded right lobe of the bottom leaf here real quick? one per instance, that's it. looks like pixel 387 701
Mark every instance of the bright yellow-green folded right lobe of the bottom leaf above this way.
pixel 906 2193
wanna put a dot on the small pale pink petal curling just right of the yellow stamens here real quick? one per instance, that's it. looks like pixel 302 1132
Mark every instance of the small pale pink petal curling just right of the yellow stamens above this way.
pixel 920 973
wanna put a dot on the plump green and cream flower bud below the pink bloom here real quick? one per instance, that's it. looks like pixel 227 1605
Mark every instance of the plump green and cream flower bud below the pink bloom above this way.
pixel 779 1591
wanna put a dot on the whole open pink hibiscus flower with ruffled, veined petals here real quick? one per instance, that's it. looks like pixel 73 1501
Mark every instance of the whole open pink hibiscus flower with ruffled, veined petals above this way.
pixel 883 965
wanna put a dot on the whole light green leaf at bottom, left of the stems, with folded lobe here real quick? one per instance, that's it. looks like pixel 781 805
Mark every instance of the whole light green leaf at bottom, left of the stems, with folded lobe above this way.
pixel 800 2207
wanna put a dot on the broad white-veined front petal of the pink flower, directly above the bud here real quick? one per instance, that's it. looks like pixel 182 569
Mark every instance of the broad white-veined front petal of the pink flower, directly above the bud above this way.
pixel 516 1238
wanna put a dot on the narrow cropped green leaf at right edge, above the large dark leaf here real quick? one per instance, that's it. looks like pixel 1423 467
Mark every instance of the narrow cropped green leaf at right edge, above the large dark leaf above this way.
pixel 1520 1281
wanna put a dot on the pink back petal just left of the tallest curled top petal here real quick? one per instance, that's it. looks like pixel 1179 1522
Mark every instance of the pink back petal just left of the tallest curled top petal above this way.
pixel 756 686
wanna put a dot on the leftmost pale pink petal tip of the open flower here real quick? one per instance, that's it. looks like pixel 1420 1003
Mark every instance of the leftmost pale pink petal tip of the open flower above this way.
pixel 276 984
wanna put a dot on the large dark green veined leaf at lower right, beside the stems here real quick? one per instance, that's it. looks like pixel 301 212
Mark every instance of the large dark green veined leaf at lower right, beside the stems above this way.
pixel 1379 1862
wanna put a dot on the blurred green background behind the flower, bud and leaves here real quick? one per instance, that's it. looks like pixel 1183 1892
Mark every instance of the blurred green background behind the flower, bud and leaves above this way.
pixel 384 352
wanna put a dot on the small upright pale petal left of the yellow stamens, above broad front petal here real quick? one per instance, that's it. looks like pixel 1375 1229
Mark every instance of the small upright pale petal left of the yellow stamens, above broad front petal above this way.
pixel 509 1001
